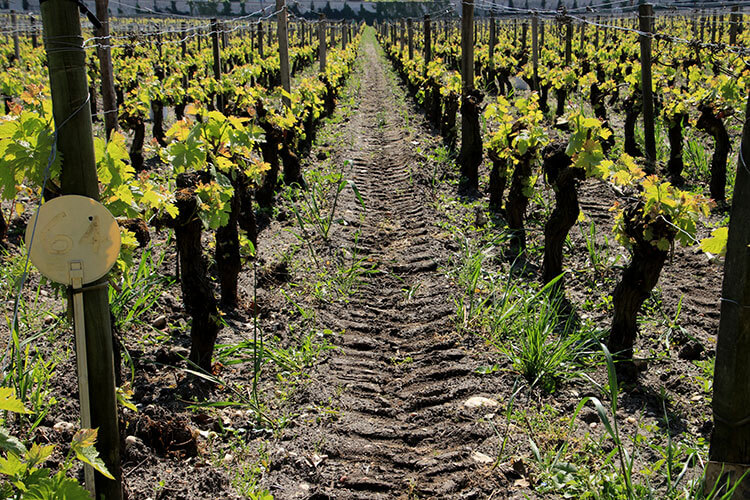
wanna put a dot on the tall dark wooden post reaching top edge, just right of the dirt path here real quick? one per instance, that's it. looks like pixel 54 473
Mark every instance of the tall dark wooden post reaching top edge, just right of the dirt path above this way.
pixel 470 155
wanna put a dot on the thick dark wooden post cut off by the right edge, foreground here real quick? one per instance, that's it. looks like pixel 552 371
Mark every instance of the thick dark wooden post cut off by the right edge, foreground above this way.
pixel 729 453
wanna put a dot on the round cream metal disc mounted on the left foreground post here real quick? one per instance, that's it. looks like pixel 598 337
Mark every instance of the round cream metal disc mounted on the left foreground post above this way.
pixel 69 229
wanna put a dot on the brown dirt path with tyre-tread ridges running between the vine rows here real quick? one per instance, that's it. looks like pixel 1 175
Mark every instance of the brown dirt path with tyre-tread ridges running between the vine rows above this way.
pixel 398 385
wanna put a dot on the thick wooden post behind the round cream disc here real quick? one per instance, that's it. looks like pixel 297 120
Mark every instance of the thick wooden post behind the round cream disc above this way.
pixel 75 143
